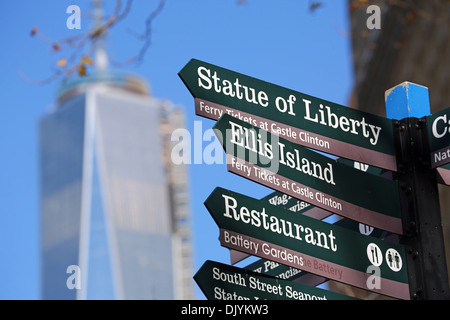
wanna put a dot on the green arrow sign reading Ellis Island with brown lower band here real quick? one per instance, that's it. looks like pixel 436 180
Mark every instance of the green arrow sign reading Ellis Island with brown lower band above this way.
pixel 279 164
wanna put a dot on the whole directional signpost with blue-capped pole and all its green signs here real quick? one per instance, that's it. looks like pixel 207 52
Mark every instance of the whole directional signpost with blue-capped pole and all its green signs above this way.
pixel 267 132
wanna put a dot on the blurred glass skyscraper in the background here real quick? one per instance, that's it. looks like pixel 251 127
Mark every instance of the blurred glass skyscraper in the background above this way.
pixel 112 203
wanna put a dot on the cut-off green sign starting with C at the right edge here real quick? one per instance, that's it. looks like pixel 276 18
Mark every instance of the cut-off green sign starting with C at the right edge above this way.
pixel 439 137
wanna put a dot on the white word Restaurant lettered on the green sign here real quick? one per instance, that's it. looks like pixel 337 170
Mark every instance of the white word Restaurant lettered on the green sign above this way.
pixel 260 219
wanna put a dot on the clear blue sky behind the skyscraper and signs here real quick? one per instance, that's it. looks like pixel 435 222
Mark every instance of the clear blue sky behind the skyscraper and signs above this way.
pixel 277 41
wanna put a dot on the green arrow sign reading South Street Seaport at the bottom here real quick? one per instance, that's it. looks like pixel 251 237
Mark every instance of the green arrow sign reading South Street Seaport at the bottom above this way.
pixel 223 282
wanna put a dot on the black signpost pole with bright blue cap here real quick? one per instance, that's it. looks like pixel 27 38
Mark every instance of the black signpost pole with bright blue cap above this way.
pixel 408 103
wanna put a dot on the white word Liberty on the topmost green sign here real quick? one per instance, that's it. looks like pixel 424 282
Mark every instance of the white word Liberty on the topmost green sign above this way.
pixel 327 118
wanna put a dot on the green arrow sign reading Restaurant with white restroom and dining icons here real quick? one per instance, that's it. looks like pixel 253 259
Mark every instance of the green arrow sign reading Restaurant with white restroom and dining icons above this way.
pixel 274 233
